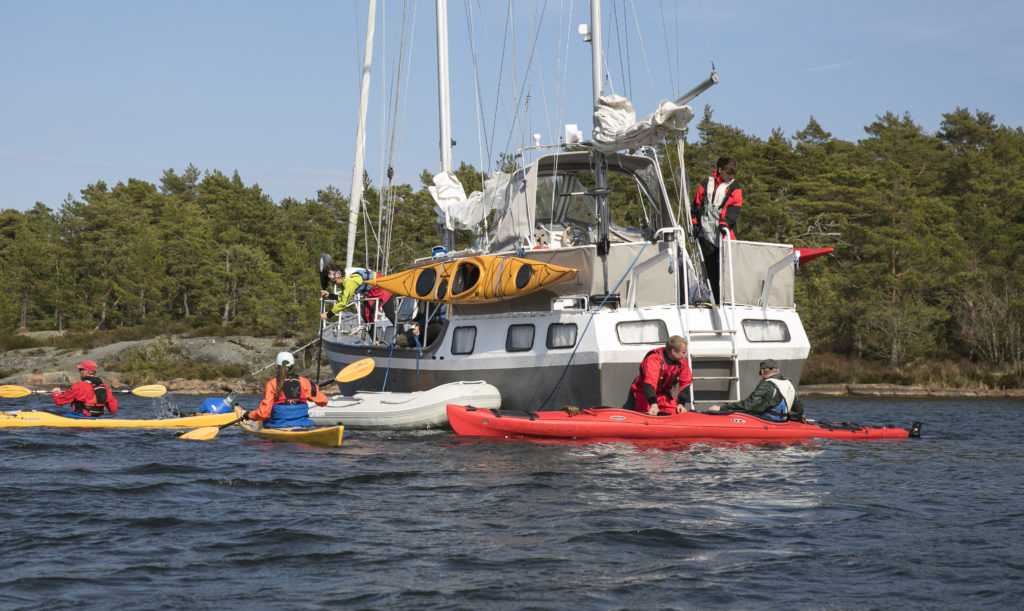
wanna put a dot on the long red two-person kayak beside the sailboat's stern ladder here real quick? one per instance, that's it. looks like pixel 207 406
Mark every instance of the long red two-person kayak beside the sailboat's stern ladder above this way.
pixel 610 423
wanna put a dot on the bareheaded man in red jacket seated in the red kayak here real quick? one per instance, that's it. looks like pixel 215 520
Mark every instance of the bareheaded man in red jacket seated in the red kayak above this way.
pixel 661 371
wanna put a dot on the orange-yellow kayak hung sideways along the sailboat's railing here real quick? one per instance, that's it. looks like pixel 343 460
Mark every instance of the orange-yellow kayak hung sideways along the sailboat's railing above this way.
pixel 475 280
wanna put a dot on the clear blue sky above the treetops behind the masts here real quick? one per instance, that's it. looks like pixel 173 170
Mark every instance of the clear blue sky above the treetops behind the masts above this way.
pixel 109 91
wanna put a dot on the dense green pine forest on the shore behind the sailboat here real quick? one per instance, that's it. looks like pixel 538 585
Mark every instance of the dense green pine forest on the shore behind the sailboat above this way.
pixel 928 232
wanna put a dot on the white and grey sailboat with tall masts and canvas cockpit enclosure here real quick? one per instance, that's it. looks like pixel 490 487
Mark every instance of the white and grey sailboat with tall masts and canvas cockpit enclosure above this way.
pixel 580 341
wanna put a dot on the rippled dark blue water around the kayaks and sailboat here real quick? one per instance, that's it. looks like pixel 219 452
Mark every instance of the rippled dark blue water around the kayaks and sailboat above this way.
pixel 140 519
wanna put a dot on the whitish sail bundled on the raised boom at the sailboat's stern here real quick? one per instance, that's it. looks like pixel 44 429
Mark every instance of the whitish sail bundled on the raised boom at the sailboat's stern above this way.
pixel 618 128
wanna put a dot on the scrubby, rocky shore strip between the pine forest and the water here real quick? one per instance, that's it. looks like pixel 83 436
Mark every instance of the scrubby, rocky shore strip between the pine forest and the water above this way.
pixel 212 365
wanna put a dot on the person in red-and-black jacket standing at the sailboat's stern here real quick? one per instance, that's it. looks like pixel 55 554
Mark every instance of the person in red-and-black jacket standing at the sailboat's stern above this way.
pixel 716 210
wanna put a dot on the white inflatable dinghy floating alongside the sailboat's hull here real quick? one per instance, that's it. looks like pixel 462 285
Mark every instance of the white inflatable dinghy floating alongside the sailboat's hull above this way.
pixel 420 410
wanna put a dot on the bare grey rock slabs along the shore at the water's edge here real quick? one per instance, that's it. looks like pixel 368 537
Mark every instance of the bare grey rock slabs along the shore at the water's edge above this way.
pixel 42 369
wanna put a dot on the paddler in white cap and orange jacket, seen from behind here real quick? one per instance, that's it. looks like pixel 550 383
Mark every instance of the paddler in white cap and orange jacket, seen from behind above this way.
pixel 285 398
